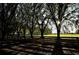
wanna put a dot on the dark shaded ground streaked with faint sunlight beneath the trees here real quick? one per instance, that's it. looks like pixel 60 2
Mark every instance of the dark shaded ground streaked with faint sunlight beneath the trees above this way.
pixel 21 47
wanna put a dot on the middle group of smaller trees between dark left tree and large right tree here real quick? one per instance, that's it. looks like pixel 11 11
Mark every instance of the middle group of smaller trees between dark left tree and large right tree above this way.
pixel 32 18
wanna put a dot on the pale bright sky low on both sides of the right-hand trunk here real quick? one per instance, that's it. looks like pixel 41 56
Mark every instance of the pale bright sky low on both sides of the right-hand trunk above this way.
pixel 70 28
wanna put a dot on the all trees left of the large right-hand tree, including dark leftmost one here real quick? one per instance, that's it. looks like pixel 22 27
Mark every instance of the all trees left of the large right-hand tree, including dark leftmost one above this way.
pixel 20 18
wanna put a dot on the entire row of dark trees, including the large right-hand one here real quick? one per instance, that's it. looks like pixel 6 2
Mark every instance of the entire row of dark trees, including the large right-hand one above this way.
pixel 32 17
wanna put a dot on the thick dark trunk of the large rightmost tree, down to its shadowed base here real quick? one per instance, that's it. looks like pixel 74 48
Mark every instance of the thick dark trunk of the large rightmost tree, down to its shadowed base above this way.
pixel 58 47
